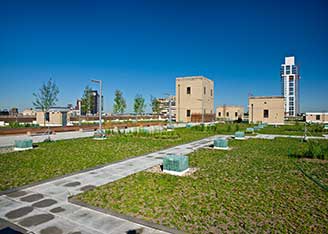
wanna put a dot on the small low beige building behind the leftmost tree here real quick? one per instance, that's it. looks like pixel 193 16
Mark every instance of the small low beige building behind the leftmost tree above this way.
pixel 56 116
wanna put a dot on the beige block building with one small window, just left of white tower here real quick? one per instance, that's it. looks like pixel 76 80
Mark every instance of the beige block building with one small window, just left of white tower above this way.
pixel 266 109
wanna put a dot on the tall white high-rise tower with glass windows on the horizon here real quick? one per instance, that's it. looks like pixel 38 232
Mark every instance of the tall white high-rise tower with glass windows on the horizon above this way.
pixel 290 77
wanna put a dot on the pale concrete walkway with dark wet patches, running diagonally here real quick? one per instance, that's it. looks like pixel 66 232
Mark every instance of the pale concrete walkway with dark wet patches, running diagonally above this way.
pixel 44 208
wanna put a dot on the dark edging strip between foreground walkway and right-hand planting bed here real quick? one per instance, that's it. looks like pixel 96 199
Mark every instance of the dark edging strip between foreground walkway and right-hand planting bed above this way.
pixel 142 222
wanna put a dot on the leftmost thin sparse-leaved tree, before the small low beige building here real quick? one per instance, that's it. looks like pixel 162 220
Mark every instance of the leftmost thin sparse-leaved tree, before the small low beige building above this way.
pixel 46 98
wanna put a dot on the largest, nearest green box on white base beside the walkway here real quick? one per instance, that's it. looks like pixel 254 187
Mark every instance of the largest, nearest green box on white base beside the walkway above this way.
pixel 176 163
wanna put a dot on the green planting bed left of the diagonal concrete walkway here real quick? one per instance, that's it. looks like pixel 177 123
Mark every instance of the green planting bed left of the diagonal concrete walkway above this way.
pixel 58 158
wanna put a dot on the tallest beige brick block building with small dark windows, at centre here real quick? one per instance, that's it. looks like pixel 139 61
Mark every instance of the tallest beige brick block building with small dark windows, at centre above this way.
pixel 194 95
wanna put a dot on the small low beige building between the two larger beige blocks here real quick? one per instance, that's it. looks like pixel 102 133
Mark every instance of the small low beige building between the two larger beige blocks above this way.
pixel 230 113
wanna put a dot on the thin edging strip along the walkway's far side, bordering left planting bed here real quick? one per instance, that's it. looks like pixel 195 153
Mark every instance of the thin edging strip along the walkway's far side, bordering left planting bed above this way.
pixel 11 190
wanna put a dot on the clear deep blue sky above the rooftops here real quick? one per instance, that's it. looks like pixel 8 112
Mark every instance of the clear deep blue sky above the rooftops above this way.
pixel 141 46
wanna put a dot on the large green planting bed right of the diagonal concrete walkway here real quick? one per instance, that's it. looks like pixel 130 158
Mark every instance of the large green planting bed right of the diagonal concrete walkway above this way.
pixel 256 187
